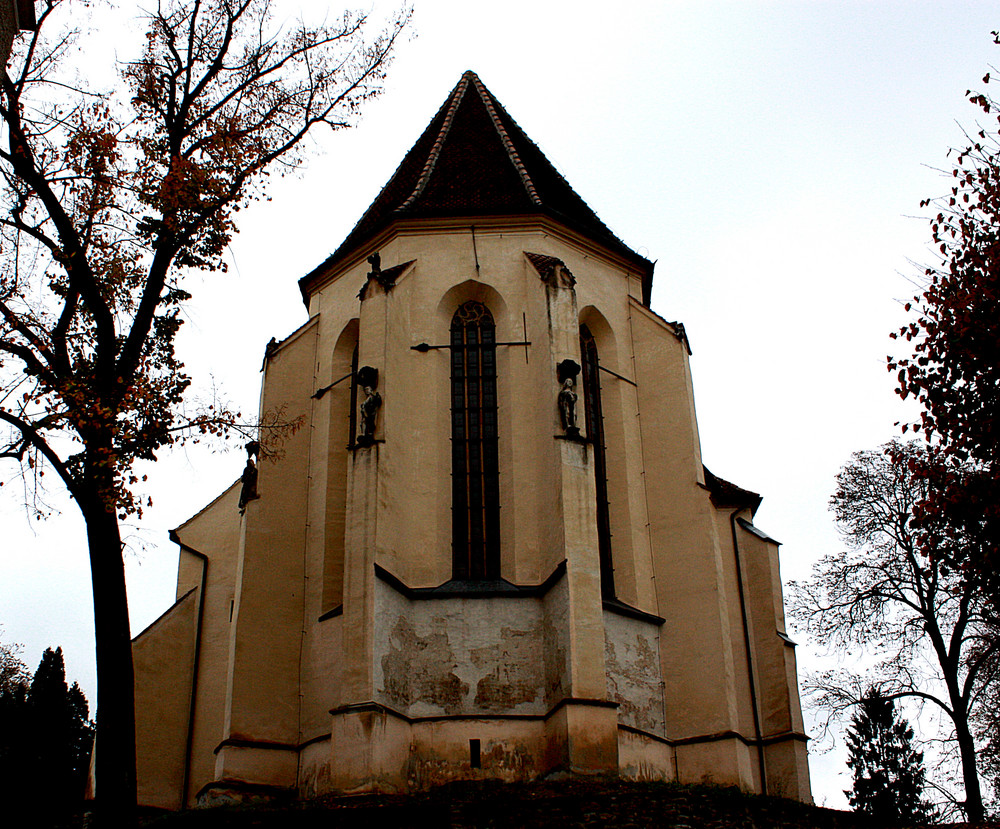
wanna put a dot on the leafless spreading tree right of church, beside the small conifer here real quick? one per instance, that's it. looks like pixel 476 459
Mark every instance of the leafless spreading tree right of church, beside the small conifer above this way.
pixel 927 629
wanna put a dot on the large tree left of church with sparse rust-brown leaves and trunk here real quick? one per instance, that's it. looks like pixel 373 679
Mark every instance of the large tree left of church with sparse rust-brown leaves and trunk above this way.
pixel 104 207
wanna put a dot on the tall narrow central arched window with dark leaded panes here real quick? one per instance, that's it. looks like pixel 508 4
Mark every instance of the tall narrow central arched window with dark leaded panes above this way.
pixel 475 474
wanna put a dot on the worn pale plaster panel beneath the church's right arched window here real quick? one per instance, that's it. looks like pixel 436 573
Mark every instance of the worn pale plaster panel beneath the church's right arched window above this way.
pixel 633 672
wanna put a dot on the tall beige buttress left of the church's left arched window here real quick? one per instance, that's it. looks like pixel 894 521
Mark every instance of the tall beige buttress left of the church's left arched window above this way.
pixel 262 701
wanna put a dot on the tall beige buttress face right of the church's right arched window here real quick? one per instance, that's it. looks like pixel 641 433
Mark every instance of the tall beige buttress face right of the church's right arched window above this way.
pixel 698 660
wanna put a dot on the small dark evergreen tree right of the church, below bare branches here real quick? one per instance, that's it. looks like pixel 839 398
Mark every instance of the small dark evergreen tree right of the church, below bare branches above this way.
pixel 888 770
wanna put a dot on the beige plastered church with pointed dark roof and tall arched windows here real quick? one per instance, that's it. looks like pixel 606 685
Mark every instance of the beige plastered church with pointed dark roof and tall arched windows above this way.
pixel 491 549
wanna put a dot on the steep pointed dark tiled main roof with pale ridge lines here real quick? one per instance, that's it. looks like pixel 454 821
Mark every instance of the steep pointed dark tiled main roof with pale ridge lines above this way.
pixel 473 160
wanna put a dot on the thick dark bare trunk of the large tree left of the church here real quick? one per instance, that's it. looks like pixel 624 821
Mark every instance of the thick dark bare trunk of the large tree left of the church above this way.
pixel 116 777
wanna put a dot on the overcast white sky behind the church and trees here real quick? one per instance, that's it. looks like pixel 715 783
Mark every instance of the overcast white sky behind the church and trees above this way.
pixel 770 156
